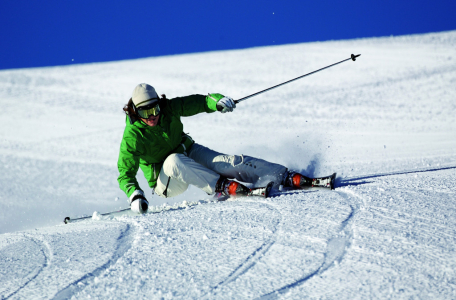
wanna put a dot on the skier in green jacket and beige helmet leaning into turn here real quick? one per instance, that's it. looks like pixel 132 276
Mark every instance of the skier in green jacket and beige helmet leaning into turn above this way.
pixel 154 141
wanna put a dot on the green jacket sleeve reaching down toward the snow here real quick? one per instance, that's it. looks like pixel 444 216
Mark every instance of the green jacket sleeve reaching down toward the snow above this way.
pixel 128 164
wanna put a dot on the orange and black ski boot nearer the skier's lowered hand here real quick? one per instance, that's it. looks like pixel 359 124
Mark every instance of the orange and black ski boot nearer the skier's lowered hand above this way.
pixel 231 188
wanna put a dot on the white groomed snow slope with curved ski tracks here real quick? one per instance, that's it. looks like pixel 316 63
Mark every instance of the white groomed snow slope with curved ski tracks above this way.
pixel 385 123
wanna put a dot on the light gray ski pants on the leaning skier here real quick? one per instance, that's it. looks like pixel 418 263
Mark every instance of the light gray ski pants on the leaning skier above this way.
pixel 203 167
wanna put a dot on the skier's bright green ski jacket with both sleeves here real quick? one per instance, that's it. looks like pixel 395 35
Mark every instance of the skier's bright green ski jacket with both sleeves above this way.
pixel 147 147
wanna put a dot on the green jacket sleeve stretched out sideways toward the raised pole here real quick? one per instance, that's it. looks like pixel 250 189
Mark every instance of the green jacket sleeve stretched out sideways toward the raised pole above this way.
pixel 194 104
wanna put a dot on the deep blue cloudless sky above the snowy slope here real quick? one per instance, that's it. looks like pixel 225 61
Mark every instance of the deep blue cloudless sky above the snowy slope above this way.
pixel 49 33
